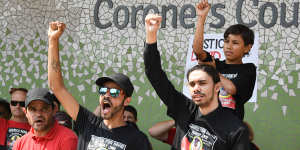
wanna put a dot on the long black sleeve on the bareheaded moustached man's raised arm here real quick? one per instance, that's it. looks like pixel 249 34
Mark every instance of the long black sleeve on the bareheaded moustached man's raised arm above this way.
pixel 179 106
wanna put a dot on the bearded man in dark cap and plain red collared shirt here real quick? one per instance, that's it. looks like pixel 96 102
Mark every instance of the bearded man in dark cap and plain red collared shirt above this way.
pixel 45 132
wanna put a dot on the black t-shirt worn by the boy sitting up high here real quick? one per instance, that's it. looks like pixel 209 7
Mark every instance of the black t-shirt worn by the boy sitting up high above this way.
pixel 243 77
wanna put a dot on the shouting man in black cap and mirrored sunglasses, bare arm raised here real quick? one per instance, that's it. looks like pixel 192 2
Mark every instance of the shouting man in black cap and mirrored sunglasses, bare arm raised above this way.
pixel 109 131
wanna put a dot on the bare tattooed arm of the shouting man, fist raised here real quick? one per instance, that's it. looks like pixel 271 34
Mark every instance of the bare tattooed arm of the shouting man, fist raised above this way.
pixel 55 79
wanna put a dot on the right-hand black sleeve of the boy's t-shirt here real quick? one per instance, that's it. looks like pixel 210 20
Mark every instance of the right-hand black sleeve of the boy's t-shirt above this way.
pixel 245 83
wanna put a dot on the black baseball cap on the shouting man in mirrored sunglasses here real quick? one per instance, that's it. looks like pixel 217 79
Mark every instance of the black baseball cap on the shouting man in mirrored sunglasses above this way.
pixel 122 80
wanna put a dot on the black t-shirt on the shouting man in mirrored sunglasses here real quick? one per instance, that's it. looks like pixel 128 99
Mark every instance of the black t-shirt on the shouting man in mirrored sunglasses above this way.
pixel 93 134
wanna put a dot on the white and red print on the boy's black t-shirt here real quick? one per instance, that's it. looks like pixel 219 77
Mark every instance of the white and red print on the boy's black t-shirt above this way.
pixel 226 99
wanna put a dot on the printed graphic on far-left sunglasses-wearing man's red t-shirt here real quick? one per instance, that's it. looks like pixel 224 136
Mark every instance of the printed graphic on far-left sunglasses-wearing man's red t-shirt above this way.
pixel 12 135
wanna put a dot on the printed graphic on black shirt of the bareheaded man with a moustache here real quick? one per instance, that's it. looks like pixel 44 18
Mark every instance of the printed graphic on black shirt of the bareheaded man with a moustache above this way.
pixel 198 138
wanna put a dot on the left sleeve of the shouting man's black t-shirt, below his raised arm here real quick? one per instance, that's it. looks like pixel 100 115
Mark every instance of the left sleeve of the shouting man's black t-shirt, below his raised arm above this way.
pixel 83 117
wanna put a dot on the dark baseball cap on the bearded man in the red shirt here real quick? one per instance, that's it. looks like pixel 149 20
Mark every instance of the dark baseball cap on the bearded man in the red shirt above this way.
pixel 42 94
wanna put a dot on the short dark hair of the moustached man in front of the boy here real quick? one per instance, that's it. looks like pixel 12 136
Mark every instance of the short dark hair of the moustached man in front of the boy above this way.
pixel 210 70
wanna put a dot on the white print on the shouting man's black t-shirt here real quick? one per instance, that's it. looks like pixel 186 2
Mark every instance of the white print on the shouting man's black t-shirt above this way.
pixel 101 143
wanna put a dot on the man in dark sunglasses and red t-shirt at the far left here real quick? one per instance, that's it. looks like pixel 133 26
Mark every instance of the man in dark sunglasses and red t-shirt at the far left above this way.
pixel 17 126
